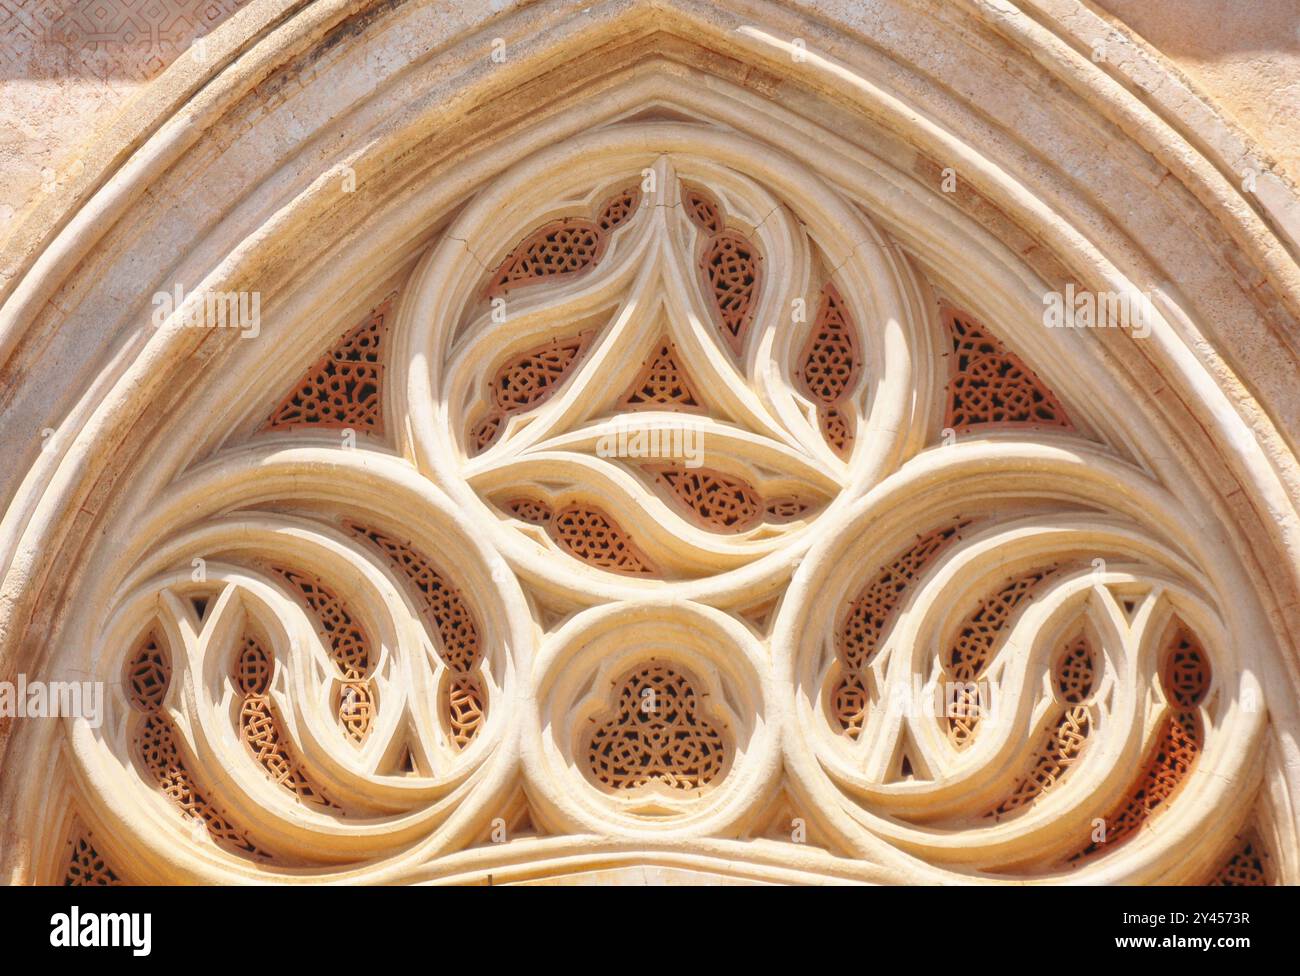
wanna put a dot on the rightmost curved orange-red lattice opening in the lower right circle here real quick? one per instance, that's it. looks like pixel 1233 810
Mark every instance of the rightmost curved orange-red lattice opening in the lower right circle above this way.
pixel 1186 679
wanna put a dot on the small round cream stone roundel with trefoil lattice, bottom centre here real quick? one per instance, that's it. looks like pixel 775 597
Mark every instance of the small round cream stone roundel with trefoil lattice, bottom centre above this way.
pixel 655 717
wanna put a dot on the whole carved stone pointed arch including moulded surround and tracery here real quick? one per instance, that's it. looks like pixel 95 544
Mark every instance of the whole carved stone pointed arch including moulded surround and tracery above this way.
pixel 678 475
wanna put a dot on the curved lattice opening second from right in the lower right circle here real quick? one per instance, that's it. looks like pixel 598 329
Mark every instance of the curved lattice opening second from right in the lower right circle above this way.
pixel 1064 740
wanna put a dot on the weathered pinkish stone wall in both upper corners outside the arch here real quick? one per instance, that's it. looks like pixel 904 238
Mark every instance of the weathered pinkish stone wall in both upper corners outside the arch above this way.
pixel 64 72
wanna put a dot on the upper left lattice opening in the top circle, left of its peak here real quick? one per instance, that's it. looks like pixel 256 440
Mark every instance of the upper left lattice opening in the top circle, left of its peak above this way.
pixel 564 248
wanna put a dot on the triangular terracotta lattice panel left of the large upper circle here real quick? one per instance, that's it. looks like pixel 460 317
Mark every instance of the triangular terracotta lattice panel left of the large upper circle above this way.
pixel 344 388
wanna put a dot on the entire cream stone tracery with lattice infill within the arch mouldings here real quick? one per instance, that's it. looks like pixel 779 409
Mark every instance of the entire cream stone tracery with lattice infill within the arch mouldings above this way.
pixel 674 498
